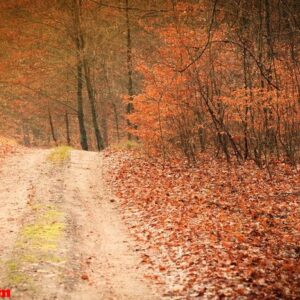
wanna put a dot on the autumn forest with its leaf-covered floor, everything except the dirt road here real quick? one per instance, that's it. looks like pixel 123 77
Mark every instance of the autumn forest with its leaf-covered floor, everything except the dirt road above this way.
pixel 194 106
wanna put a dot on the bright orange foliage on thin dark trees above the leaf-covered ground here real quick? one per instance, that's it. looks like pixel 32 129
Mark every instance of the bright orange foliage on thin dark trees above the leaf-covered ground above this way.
pixel 230 96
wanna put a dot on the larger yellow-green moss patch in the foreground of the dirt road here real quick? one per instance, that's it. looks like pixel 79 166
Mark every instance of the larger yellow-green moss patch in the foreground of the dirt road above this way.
pixel 37 242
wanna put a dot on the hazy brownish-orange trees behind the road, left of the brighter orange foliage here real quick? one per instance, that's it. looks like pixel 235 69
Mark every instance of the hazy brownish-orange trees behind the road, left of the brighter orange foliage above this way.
pixel 72 67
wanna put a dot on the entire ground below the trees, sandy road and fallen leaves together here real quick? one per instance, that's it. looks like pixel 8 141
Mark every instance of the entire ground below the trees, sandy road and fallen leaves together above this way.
pixel 119 225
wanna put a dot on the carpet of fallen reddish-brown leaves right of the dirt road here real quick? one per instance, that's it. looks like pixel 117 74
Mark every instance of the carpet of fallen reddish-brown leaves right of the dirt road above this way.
pixel 212 230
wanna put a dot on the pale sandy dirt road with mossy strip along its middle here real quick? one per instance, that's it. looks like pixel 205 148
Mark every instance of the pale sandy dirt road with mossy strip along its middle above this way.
pixel 61 233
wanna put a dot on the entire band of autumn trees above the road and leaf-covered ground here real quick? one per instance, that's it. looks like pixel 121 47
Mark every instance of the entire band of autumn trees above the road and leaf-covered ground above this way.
pixel 196 75
